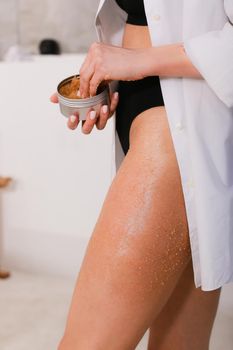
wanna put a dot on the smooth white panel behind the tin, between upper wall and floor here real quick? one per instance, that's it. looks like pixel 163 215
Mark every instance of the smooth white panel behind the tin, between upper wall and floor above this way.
pixel 60 176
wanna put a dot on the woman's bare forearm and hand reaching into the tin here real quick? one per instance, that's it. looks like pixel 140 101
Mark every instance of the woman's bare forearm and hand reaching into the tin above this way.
pixel 109 62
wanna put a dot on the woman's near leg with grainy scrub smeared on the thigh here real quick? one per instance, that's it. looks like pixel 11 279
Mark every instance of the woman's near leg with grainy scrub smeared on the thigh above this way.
pixel 139 247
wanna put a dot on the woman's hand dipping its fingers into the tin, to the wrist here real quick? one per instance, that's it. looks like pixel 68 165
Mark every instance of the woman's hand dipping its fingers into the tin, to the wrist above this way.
pixel 107 62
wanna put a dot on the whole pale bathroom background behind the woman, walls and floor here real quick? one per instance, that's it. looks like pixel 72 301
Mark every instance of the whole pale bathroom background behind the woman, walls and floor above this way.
pixel 47 211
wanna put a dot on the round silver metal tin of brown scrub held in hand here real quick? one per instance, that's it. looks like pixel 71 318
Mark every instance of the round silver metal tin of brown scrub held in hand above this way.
pixel 81 106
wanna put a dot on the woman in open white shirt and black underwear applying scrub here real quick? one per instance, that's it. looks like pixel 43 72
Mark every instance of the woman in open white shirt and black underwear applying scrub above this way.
pixel 165 227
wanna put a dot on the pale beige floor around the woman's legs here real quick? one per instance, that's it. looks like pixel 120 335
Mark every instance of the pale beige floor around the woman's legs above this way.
pixel 33 310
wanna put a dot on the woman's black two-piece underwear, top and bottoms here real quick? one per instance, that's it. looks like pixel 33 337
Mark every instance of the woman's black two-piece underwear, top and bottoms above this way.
pixel 135 96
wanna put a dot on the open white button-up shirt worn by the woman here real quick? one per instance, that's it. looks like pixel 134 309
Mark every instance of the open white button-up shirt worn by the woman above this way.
pixel 200 116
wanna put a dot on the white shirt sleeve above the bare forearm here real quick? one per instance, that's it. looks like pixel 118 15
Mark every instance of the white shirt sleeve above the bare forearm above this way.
pixel 212 54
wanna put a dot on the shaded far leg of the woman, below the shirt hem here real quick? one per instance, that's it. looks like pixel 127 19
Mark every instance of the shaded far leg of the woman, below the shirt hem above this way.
pixel 186 320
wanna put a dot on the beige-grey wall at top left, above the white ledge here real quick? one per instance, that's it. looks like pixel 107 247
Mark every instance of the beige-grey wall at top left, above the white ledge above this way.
pixel 26 22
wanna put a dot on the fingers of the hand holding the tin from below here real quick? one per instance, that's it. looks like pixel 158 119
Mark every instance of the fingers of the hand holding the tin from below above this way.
pixel 92 118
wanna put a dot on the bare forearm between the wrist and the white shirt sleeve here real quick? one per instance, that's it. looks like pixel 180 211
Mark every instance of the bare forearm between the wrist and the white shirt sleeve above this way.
pixel 169 60
